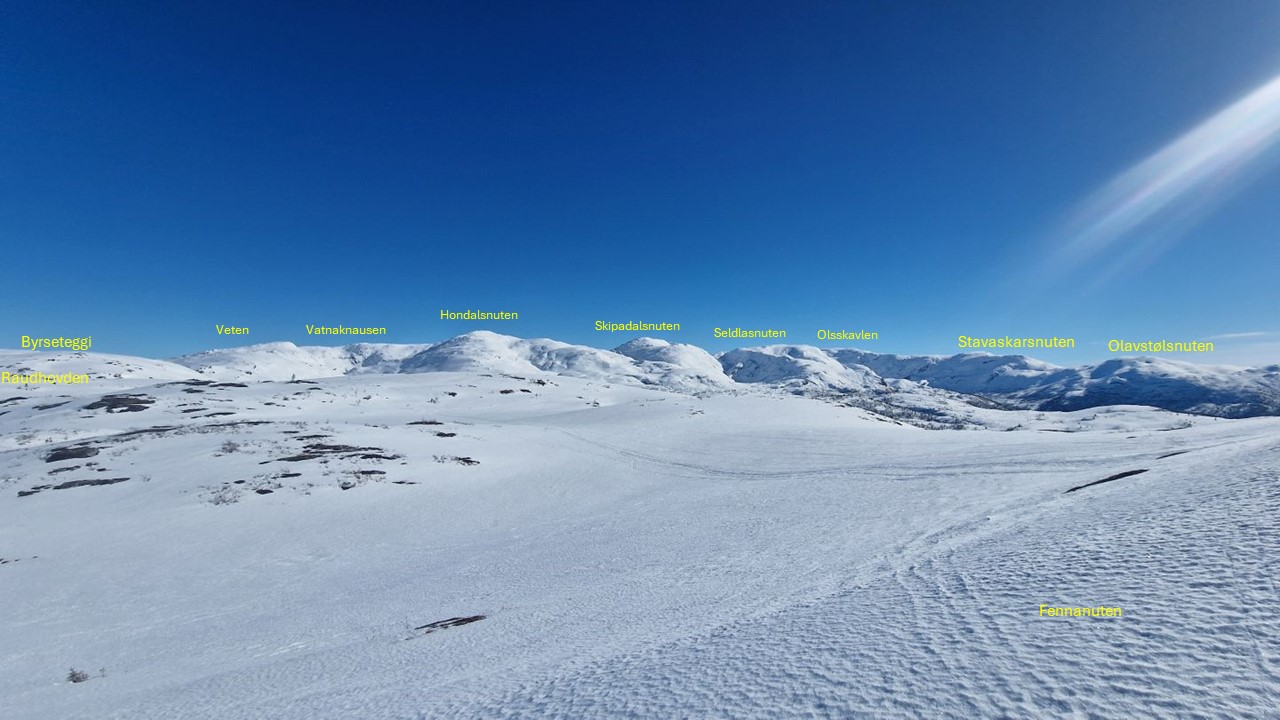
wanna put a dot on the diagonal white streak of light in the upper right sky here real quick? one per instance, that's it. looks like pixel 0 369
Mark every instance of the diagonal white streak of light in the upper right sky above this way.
pixel 1140 212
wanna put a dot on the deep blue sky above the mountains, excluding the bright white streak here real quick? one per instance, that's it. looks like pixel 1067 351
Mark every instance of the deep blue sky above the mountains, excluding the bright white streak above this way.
pixel 909 168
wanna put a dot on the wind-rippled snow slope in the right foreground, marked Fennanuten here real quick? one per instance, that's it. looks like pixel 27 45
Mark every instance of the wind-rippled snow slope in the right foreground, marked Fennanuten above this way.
pixel 956 632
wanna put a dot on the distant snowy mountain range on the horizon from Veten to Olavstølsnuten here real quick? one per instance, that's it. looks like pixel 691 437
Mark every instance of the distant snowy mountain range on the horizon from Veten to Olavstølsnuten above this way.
pixel 1013 381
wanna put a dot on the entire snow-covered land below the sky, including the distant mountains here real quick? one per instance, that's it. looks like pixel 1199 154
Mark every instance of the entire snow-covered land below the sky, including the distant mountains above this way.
pixel 493 527
